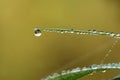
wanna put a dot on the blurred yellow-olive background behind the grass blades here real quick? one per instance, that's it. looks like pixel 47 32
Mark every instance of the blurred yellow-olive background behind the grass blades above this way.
pixel 26 57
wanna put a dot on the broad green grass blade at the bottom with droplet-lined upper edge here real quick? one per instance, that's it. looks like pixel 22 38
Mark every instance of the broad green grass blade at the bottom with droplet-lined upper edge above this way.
pixel 79 73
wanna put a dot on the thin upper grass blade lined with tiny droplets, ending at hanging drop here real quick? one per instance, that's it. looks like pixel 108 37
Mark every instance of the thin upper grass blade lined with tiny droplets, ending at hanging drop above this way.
pixel 93 32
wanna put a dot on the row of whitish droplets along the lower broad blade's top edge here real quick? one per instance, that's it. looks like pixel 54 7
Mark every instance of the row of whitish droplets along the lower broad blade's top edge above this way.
pixel 93 67
